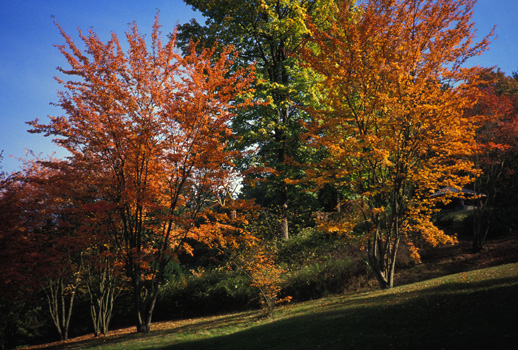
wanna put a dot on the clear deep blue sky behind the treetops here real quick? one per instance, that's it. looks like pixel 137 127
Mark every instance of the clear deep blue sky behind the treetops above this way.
pixel 28 58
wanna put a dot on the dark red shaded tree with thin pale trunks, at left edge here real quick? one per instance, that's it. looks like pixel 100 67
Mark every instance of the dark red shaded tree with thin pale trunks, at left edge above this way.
pixel 37 250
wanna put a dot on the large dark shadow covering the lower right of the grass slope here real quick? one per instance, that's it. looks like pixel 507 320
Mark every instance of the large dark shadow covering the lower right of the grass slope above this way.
pixel 443 317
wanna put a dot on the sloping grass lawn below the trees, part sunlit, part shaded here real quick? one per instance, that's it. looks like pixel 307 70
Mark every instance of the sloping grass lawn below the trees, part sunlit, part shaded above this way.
pixel 471 310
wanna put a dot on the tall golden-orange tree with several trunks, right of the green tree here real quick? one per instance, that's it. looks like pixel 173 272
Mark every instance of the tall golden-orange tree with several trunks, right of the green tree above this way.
pixel 395 124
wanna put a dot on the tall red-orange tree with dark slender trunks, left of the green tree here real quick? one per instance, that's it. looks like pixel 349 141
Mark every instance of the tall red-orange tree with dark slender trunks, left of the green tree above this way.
pixel 146 130
